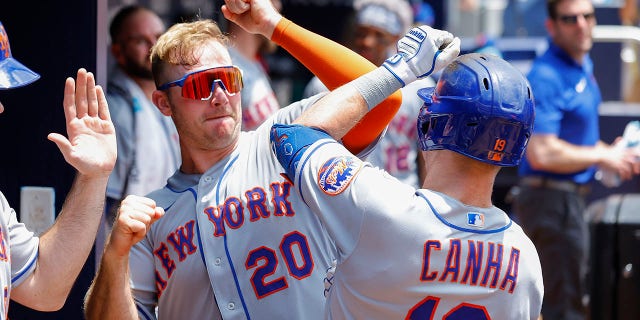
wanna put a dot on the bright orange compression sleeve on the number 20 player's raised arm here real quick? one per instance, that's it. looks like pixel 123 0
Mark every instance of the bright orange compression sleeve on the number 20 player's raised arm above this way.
pixel 336 65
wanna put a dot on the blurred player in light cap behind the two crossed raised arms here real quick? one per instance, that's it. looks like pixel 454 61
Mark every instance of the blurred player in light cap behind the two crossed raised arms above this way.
pixel 378 26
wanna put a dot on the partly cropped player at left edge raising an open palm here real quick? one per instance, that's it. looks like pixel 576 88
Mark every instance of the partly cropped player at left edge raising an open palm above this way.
pixel 32 272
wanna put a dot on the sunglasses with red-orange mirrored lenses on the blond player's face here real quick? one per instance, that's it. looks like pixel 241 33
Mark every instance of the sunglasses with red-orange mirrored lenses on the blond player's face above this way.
pixel 199 85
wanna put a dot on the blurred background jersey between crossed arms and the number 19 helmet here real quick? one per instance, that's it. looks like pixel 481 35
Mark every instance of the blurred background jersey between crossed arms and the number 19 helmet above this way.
pixel 398 150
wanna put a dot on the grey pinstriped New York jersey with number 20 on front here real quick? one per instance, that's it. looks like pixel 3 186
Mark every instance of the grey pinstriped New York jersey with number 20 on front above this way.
pixel 235 242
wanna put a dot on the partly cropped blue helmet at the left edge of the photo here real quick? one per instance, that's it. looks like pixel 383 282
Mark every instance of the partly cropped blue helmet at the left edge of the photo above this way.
pixel 13 74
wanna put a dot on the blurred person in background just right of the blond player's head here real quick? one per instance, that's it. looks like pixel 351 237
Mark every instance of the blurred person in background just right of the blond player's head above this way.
pixel 259 101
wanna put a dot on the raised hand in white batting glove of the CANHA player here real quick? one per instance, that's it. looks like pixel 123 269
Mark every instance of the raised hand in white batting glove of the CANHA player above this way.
pixel 421 52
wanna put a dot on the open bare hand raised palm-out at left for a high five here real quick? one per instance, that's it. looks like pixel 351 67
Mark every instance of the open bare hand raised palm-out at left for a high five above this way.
pixel 91 143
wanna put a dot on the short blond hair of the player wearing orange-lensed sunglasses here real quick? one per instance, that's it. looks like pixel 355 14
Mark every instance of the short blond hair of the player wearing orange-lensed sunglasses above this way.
pixel 180 44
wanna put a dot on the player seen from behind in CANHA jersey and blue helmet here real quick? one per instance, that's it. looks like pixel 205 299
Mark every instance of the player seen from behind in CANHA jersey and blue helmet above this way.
pixel 441 252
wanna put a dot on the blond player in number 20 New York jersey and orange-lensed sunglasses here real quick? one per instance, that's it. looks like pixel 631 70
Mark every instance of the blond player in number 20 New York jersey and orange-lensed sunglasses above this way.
pixel 235 241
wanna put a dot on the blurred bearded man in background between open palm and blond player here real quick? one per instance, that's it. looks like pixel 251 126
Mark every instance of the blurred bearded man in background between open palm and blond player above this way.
pixel 148 150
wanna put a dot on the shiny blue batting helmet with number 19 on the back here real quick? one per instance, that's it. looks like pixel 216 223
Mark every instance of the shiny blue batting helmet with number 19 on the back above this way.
pixel 482 107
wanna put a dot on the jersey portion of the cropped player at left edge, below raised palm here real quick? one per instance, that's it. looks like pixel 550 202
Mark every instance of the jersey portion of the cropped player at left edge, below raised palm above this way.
pixel 18 253
